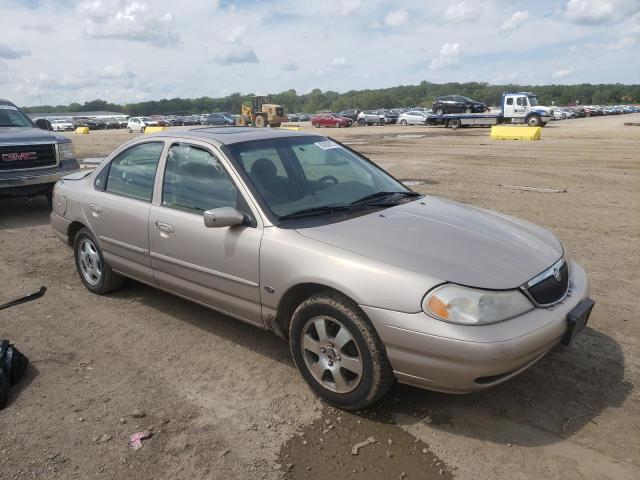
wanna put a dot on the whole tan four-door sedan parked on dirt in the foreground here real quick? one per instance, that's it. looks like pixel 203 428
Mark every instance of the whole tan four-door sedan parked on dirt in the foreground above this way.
pixel 370 281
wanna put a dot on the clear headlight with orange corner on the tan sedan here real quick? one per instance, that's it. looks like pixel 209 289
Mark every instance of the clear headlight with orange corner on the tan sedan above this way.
pixel 468 306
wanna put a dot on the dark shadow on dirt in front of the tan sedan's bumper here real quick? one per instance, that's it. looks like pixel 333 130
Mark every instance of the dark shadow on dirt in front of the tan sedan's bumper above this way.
pixel 551 401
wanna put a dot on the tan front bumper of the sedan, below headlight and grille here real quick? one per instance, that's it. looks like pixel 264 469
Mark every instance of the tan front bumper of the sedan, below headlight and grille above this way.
pixel 441 356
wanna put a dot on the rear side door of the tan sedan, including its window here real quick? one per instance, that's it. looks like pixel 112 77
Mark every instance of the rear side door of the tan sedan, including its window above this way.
pixel 117 209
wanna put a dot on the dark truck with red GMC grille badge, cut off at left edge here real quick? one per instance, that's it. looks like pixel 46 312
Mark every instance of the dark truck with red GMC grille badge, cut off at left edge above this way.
pixel 32 159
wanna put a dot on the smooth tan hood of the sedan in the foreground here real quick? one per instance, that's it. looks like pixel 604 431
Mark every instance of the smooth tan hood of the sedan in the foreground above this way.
pixel 448 241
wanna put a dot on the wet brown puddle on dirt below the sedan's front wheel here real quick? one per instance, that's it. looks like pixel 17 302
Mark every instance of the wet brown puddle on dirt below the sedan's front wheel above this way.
pixel 323 449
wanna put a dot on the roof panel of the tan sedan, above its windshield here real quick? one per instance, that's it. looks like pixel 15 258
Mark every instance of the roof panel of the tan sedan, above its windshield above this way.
pixel 231 135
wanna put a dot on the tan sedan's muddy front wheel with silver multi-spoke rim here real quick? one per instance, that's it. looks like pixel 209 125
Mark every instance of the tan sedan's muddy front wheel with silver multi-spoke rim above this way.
pixel 338 352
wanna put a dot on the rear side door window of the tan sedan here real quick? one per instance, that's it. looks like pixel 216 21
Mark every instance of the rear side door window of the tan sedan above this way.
pixel 133 172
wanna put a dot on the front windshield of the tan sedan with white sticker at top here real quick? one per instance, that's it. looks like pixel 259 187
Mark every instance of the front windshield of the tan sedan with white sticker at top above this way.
pixel 296 174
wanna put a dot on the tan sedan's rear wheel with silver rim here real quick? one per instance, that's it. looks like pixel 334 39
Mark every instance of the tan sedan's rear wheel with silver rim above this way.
pixel 95 273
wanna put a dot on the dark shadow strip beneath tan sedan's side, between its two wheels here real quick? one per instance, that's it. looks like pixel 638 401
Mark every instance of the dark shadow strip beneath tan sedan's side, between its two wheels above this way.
pixel 263 342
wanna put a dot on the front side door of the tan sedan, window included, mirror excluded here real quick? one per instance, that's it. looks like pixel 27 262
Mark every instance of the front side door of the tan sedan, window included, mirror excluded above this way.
pixel 218 267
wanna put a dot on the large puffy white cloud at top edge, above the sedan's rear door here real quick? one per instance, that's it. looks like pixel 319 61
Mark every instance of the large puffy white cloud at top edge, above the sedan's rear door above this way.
pixel 127 20
